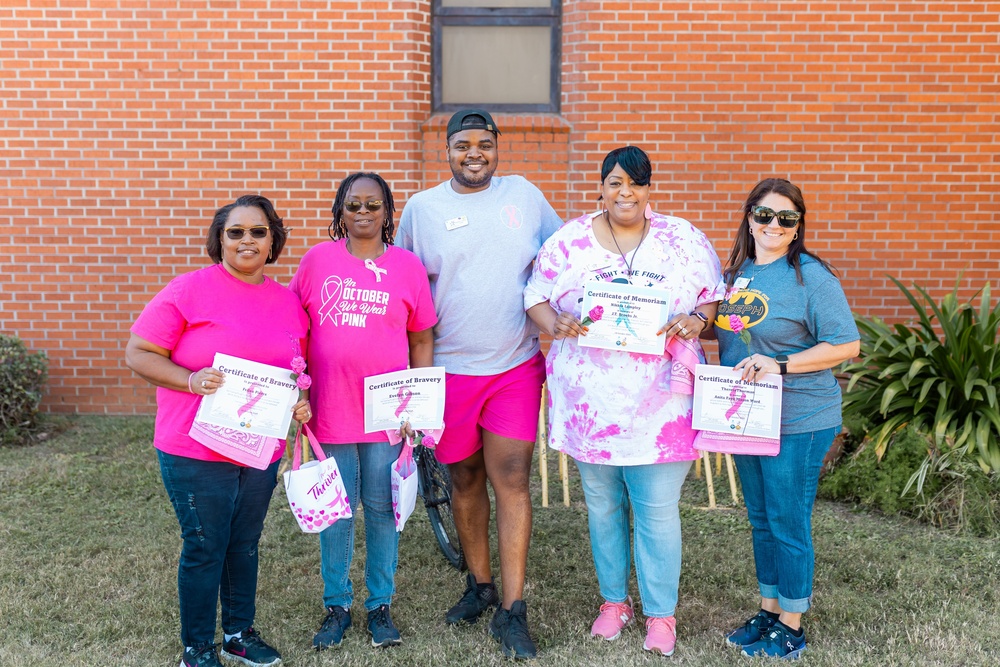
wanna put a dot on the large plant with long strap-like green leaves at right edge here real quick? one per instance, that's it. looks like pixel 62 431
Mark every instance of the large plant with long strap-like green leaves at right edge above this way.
pixel 941 375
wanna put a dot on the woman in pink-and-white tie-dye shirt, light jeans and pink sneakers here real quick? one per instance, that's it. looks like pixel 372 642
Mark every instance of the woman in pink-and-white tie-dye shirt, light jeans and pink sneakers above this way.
pixel 622 415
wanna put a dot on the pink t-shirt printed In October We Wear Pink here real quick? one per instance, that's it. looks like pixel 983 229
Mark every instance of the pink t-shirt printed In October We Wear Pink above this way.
pixel 360 315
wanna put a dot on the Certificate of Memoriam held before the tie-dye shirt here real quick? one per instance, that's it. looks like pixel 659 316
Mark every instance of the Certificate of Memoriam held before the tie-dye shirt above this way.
pixel 624 317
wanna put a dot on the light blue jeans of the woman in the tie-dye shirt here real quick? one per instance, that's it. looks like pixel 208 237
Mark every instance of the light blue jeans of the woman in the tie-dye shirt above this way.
pixel 653 492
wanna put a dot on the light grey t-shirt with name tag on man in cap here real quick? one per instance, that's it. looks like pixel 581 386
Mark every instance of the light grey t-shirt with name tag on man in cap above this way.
pixel 478 249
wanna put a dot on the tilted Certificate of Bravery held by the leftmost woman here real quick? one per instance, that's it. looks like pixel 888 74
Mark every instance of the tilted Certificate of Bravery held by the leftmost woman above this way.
pixel 255 398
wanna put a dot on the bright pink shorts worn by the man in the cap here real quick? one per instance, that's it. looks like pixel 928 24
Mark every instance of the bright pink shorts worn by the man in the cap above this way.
pixel 506 404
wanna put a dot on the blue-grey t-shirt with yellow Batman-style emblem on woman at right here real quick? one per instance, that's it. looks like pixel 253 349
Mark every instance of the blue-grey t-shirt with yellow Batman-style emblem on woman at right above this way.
pixel 786 317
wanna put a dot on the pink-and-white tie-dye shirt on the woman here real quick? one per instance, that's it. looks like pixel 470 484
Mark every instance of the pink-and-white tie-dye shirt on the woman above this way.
pixel 613 407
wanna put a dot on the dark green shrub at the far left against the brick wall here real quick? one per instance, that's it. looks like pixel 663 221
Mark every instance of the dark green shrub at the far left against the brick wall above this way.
pixel 22 377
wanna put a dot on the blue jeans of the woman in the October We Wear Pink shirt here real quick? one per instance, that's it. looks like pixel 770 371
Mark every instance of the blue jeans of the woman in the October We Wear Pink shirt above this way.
pixel 365 469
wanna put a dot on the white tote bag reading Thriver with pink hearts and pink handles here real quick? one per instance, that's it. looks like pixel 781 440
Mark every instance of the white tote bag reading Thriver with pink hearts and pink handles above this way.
pixel 315 490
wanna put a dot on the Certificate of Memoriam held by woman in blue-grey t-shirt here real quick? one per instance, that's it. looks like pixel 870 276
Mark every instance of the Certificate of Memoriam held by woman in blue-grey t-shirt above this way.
pixel 724 403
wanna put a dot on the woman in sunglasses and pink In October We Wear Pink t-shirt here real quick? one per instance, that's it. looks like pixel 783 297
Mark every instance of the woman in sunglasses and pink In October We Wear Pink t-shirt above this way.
pixel 370 312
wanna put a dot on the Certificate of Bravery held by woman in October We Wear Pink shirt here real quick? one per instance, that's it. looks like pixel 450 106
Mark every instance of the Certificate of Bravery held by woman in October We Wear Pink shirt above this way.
pixel 415 395
